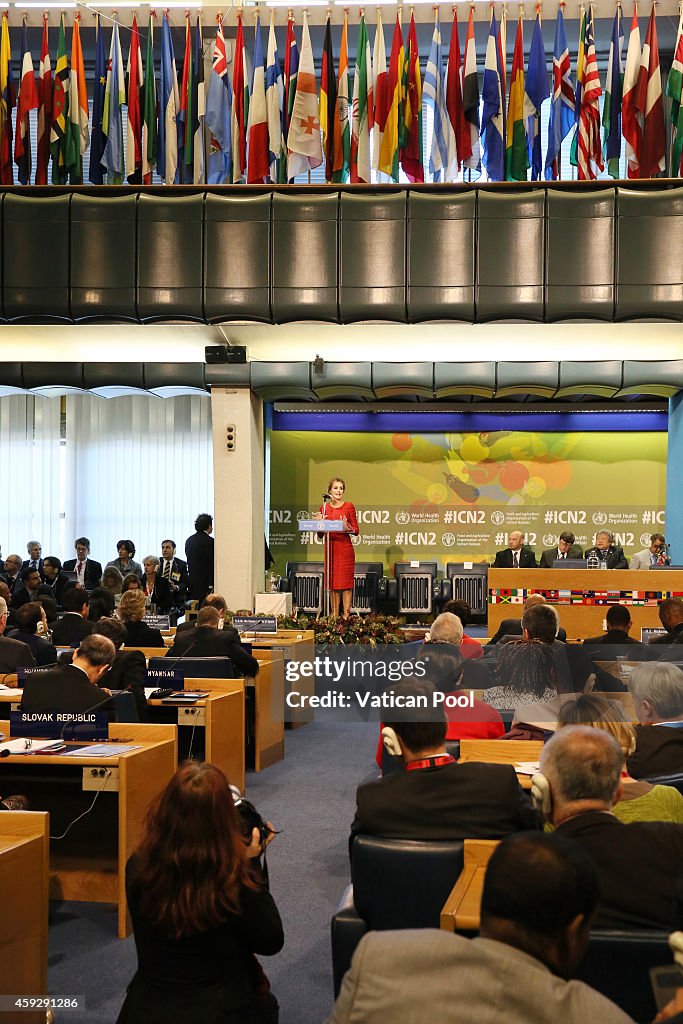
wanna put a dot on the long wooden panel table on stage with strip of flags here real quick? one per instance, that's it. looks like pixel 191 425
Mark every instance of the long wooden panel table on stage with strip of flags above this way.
pixel 572 590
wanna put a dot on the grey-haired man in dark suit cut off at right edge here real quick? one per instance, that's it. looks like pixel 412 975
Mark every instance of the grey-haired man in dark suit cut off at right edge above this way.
pixel 658 698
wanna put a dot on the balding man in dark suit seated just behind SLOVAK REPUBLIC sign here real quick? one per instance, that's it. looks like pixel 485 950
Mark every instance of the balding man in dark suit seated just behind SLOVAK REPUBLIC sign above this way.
pixel 75 688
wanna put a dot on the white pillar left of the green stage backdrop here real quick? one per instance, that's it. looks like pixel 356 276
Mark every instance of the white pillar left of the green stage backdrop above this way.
pixel 239 495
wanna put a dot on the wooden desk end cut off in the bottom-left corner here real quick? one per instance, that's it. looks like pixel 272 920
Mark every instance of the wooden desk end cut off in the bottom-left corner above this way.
pixel 24 884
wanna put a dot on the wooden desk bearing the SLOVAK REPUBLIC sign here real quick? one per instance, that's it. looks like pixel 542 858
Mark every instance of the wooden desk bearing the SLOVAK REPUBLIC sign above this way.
pixel 91 866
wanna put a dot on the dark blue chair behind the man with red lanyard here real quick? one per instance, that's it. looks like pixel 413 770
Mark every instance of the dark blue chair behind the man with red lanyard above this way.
pixel 395 884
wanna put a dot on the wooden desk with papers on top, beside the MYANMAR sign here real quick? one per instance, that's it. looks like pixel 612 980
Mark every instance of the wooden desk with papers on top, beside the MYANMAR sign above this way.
pixel 221 720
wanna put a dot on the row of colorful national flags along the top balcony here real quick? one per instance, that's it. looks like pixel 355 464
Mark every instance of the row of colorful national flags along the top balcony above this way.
pixel 271 124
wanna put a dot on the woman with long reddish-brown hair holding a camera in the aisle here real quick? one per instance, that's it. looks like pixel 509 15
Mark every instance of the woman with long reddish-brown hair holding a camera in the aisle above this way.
pixel 201 910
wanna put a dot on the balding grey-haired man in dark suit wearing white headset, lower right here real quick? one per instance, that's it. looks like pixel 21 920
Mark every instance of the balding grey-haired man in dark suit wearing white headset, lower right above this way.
pixel 638 865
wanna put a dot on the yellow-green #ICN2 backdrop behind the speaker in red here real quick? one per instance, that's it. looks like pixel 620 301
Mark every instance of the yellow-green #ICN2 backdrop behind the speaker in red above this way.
pixel 457 495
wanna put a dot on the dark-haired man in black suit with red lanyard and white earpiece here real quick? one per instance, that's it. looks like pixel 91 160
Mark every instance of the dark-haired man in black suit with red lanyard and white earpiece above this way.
pixel 436 798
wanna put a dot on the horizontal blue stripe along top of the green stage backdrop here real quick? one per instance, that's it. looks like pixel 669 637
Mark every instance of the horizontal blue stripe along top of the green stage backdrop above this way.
pixel 419 423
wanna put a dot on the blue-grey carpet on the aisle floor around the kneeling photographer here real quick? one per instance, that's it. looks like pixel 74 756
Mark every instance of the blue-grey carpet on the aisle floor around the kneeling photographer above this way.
pixel 311 797
